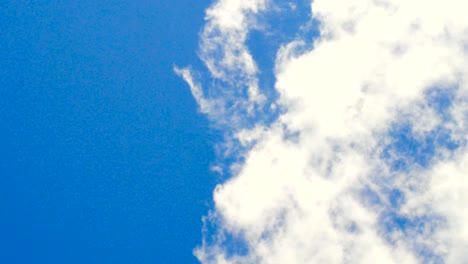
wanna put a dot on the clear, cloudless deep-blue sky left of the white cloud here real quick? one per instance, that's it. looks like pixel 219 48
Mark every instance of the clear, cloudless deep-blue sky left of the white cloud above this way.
pixel 103 156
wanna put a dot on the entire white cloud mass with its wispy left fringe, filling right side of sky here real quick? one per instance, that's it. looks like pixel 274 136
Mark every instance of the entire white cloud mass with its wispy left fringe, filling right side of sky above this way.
pixel 366 159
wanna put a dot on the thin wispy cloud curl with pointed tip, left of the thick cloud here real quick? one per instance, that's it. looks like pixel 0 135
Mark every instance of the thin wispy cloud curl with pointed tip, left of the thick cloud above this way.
pixel 230 64
